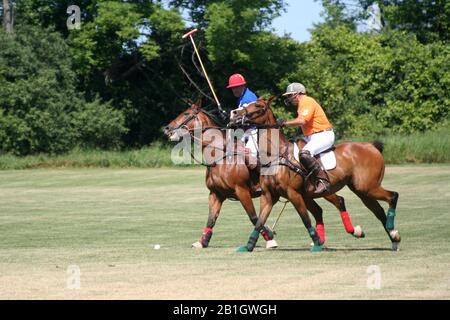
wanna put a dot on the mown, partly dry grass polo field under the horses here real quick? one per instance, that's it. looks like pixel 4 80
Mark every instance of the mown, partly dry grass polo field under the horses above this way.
pixel 107 221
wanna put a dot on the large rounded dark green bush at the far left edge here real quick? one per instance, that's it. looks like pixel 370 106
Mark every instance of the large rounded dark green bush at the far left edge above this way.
pixel 38 98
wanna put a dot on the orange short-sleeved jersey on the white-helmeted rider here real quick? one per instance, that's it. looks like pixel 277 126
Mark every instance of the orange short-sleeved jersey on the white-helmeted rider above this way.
pixel 314 116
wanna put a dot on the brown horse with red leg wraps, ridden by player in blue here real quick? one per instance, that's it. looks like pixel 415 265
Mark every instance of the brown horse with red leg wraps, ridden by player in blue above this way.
pixel 231 180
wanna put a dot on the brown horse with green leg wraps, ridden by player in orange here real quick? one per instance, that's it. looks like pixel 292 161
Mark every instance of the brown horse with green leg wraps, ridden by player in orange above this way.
pixel 360 166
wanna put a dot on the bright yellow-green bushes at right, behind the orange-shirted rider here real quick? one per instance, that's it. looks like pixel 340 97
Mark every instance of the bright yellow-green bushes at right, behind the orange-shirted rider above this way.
pixel 373 83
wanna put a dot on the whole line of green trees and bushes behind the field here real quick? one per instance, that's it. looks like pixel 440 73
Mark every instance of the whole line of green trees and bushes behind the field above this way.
pixel 116 80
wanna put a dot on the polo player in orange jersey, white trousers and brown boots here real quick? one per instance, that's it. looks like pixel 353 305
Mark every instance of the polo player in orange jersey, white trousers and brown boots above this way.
pixel 317 129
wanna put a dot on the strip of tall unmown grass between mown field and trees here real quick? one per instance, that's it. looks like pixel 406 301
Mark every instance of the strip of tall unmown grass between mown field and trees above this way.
pixel 429 147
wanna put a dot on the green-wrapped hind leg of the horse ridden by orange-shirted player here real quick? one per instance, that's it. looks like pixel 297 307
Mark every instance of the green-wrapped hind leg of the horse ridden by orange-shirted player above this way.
pixel 370 201
